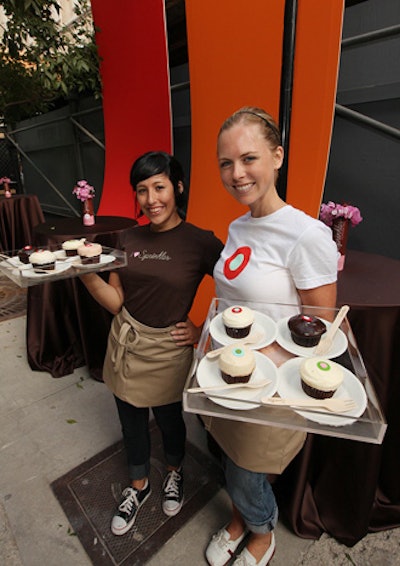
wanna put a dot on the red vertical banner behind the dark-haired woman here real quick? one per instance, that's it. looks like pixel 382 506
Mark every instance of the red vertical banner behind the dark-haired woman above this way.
pixel 132 43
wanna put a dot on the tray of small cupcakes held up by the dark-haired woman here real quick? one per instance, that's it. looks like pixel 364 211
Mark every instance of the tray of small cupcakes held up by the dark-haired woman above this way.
pixel 33 265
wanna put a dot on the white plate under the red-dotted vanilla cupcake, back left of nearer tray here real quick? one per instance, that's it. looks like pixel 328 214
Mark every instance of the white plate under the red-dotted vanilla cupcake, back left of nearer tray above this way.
pixel 263 325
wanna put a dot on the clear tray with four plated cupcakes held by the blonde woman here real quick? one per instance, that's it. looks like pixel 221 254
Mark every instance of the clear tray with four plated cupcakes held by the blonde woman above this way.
pixel 286 366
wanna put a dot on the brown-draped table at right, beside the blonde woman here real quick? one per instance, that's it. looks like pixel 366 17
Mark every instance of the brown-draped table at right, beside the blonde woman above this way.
pixel 349 488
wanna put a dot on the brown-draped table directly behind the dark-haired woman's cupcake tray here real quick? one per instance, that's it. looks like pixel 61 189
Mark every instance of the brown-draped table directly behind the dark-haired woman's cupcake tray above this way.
pixel 66 328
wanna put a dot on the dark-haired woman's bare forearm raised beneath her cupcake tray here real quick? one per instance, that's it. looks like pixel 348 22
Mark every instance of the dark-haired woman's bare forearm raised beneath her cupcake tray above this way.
pixel 109 295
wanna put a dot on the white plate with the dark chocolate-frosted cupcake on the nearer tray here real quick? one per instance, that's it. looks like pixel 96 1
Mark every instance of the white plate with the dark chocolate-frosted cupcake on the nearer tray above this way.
pixel 300 334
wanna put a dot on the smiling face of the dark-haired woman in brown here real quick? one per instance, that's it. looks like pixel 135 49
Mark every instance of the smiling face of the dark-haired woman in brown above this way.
pixel 156 198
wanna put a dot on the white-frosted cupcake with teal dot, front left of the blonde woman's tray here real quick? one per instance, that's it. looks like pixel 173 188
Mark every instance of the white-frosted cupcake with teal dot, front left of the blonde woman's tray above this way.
pixel 236 364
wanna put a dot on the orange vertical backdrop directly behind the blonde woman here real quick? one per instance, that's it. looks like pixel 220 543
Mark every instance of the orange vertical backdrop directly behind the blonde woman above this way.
pixel 235 55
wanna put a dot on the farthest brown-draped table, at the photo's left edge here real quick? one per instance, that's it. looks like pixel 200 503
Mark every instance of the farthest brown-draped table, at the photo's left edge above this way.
pixel 19 214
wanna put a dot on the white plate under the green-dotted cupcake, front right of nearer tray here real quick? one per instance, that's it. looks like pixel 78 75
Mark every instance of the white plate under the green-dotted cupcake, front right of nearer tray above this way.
pixel 289 385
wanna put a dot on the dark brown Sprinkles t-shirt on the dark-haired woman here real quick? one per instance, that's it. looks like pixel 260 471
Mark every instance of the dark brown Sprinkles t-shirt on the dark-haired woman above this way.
pixel 164 270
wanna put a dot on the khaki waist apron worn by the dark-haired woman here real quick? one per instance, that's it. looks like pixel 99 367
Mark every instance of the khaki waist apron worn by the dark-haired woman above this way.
pixel 143 365
